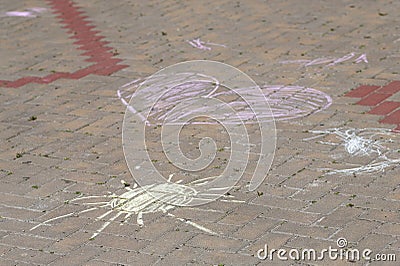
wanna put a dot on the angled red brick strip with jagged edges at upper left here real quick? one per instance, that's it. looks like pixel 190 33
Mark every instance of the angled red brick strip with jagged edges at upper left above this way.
pixel 87 39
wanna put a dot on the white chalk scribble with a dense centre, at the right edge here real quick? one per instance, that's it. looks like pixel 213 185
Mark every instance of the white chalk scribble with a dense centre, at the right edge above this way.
pixel 367 142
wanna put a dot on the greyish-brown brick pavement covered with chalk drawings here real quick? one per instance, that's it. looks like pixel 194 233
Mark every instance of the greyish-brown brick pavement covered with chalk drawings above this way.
pixel 61 123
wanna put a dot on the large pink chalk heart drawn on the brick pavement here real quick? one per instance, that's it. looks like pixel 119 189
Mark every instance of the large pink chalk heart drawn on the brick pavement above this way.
pixel 286 102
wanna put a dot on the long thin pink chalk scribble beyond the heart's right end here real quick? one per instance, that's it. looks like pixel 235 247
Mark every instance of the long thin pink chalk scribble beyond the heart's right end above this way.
pixel 328 61
